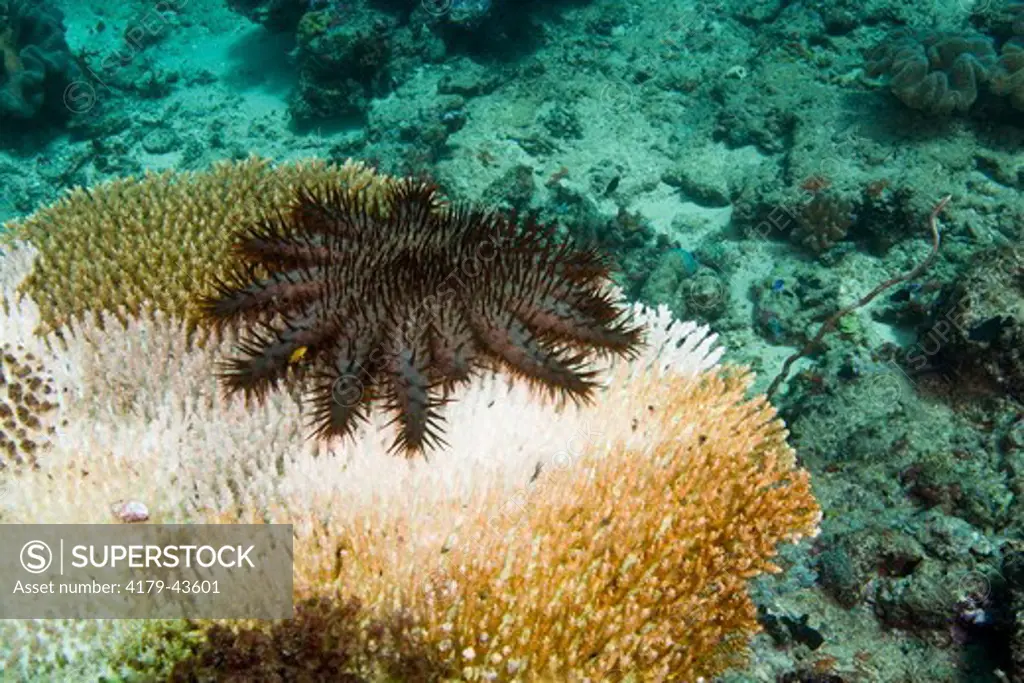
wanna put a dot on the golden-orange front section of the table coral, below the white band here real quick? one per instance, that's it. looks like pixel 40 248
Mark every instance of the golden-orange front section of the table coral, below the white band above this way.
pixel 600 571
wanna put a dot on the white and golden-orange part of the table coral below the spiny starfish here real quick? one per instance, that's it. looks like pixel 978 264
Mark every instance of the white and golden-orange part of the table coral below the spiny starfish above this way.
pixel 545 545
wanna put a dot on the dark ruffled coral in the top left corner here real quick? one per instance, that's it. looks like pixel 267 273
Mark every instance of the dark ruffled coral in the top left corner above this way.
pixel 36 64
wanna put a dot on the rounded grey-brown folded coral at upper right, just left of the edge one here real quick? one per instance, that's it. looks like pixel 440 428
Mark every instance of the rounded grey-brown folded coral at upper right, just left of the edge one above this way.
pixel 936 73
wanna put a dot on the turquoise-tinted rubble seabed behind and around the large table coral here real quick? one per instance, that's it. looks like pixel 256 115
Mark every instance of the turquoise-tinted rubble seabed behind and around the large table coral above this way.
pixel 835 189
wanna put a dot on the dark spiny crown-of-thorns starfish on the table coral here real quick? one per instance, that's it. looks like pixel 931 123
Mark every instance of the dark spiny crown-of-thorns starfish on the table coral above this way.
pixel 402 304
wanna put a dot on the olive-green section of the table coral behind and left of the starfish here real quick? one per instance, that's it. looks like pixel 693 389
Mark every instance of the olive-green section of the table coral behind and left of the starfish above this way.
pixel 163 239
